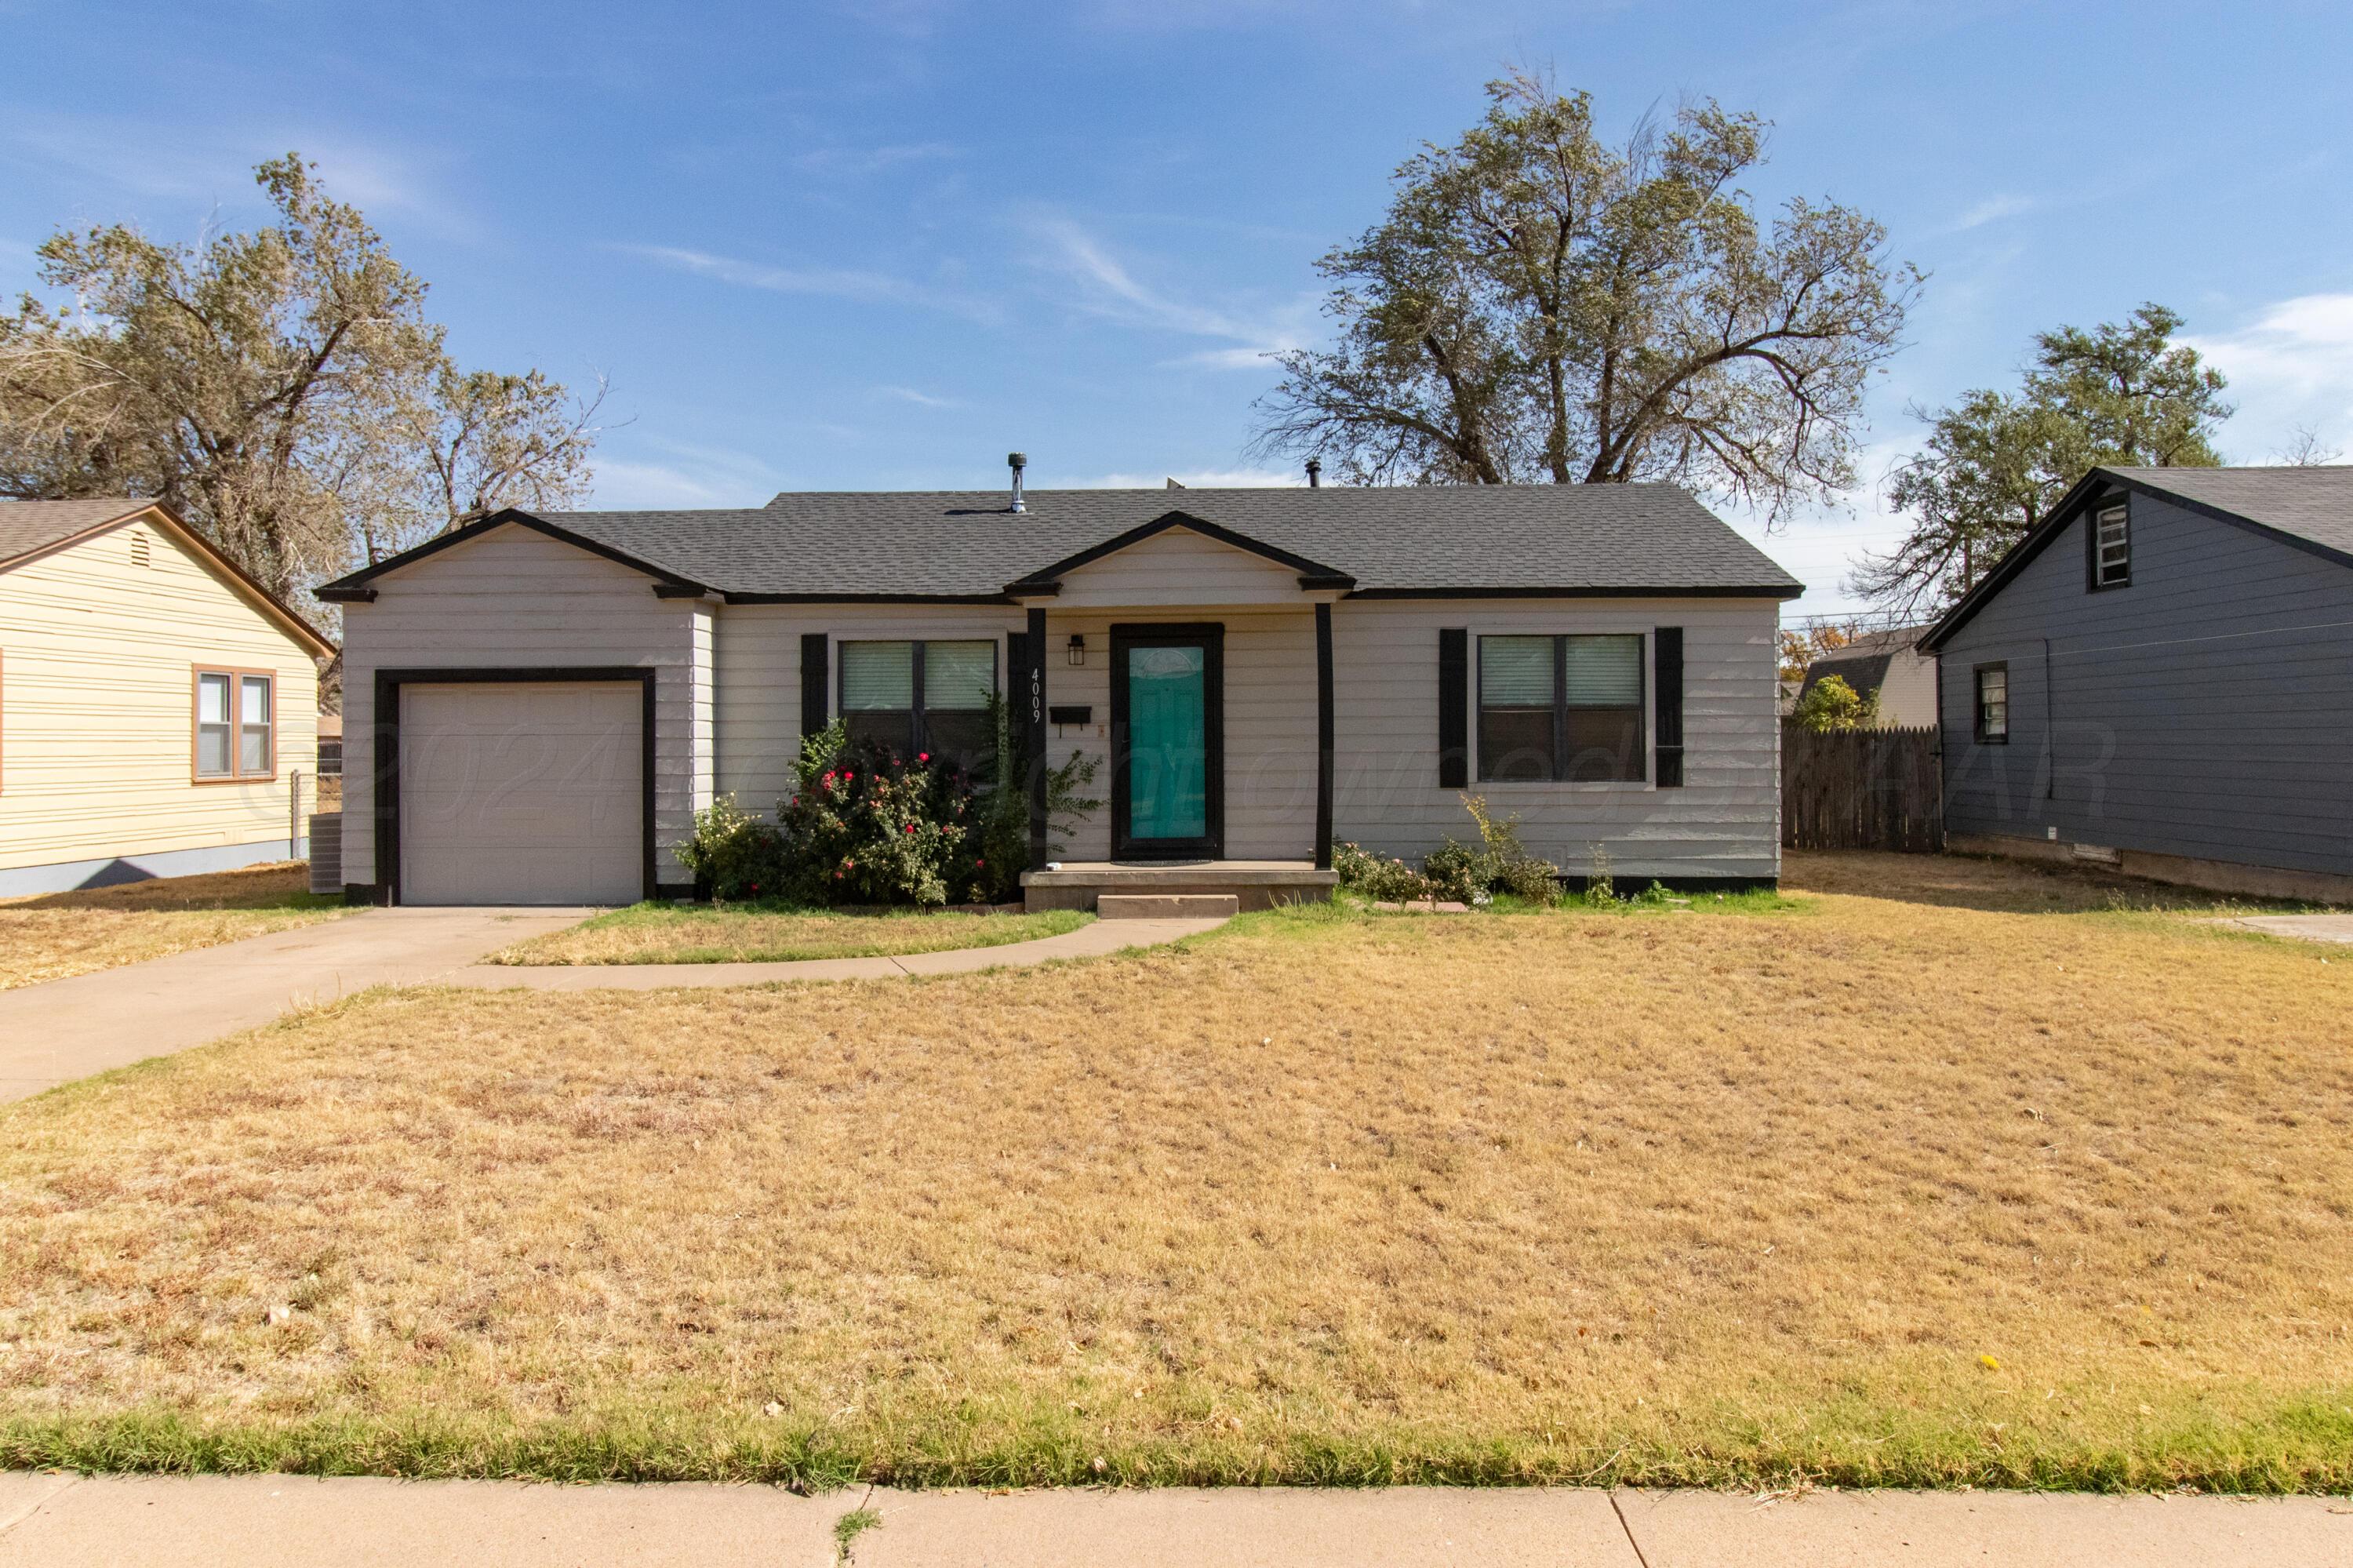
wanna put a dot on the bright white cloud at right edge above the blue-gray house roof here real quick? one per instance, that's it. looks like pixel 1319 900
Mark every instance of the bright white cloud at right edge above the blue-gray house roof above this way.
pixel 2291 366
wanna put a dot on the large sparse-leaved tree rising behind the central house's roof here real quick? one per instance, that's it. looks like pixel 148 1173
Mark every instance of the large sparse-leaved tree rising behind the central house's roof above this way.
pixel 1545 307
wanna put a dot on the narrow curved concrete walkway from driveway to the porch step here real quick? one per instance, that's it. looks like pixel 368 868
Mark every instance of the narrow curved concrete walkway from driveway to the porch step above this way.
pixel 1093 941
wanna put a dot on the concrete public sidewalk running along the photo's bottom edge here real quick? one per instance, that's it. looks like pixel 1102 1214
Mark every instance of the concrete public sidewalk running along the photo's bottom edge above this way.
pixel 236 1522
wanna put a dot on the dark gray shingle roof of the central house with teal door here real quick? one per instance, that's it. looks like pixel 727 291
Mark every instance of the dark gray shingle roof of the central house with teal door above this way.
pixel 966 545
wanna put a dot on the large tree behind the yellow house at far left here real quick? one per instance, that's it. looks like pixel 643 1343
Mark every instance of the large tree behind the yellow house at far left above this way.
pixel 281 390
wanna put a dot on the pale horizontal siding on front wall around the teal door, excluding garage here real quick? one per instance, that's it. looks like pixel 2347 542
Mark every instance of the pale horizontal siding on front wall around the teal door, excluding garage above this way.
pixel 1724 823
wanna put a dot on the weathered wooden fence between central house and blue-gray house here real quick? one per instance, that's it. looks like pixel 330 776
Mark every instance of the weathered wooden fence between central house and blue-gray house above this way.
pixel 1862 790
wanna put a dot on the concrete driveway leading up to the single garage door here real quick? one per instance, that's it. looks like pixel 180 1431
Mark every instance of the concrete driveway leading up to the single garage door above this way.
pixel 74 1028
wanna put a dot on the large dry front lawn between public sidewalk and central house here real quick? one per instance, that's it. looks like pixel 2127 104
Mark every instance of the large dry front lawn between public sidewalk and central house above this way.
pixel 1902 1185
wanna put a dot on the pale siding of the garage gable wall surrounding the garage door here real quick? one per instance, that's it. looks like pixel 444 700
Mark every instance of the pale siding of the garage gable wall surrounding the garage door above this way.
pixel 516 599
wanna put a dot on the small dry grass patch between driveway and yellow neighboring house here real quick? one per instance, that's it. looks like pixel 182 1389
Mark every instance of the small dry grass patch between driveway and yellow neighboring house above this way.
pixel 74 934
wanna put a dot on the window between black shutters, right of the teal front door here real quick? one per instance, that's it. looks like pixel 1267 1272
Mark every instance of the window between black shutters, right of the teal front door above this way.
pixel 1559 710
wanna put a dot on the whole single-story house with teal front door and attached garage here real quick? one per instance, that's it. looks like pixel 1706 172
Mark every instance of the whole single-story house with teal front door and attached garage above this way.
pixel 538 703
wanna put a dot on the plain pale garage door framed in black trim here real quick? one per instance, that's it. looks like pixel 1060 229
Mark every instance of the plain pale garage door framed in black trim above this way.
pixel 521 795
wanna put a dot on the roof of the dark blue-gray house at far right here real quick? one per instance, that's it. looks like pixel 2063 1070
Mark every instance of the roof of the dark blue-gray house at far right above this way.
pixel 2305 507
